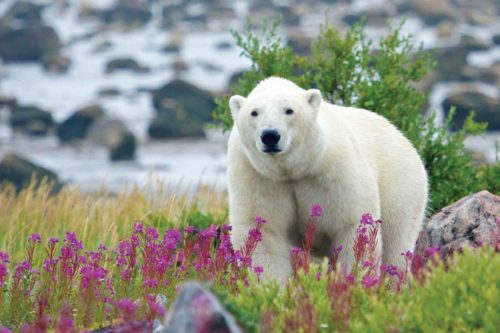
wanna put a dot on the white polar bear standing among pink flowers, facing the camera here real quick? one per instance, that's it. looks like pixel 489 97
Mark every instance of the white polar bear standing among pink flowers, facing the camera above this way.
pixel 289 150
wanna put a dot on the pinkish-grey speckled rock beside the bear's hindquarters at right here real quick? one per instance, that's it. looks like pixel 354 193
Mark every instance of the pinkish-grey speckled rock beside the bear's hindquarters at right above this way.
pixel 472 221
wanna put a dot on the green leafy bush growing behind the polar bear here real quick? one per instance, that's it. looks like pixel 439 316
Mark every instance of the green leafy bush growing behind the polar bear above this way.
pixel 349 73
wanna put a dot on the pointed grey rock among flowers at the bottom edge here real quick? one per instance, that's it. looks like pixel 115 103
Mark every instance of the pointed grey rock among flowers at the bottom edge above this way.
pixel 197 310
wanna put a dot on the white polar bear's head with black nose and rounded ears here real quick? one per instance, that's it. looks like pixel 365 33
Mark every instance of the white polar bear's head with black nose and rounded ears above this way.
pixel 277 122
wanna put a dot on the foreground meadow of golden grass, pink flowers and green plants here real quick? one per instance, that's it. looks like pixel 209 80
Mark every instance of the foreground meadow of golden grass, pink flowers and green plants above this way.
pixel 73 261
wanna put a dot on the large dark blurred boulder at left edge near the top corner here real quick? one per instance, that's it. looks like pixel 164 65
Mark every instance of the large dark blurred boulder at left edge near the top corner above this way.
pixel 37 43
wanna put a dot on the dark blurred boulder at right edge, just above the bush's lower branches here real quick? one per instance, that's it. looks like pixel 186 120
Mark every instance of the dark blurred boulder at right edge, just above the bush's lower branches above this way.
pixel 466 99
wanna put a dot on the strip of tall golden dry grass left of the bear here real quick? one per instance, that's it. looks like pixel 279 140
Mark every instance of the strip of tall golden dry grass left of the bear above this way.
pixel 97 218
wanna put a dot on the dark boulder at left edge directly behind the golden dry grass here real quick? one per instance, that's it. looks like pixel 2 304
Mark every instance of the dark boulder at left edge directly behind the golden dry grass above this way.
pixel 19 172
